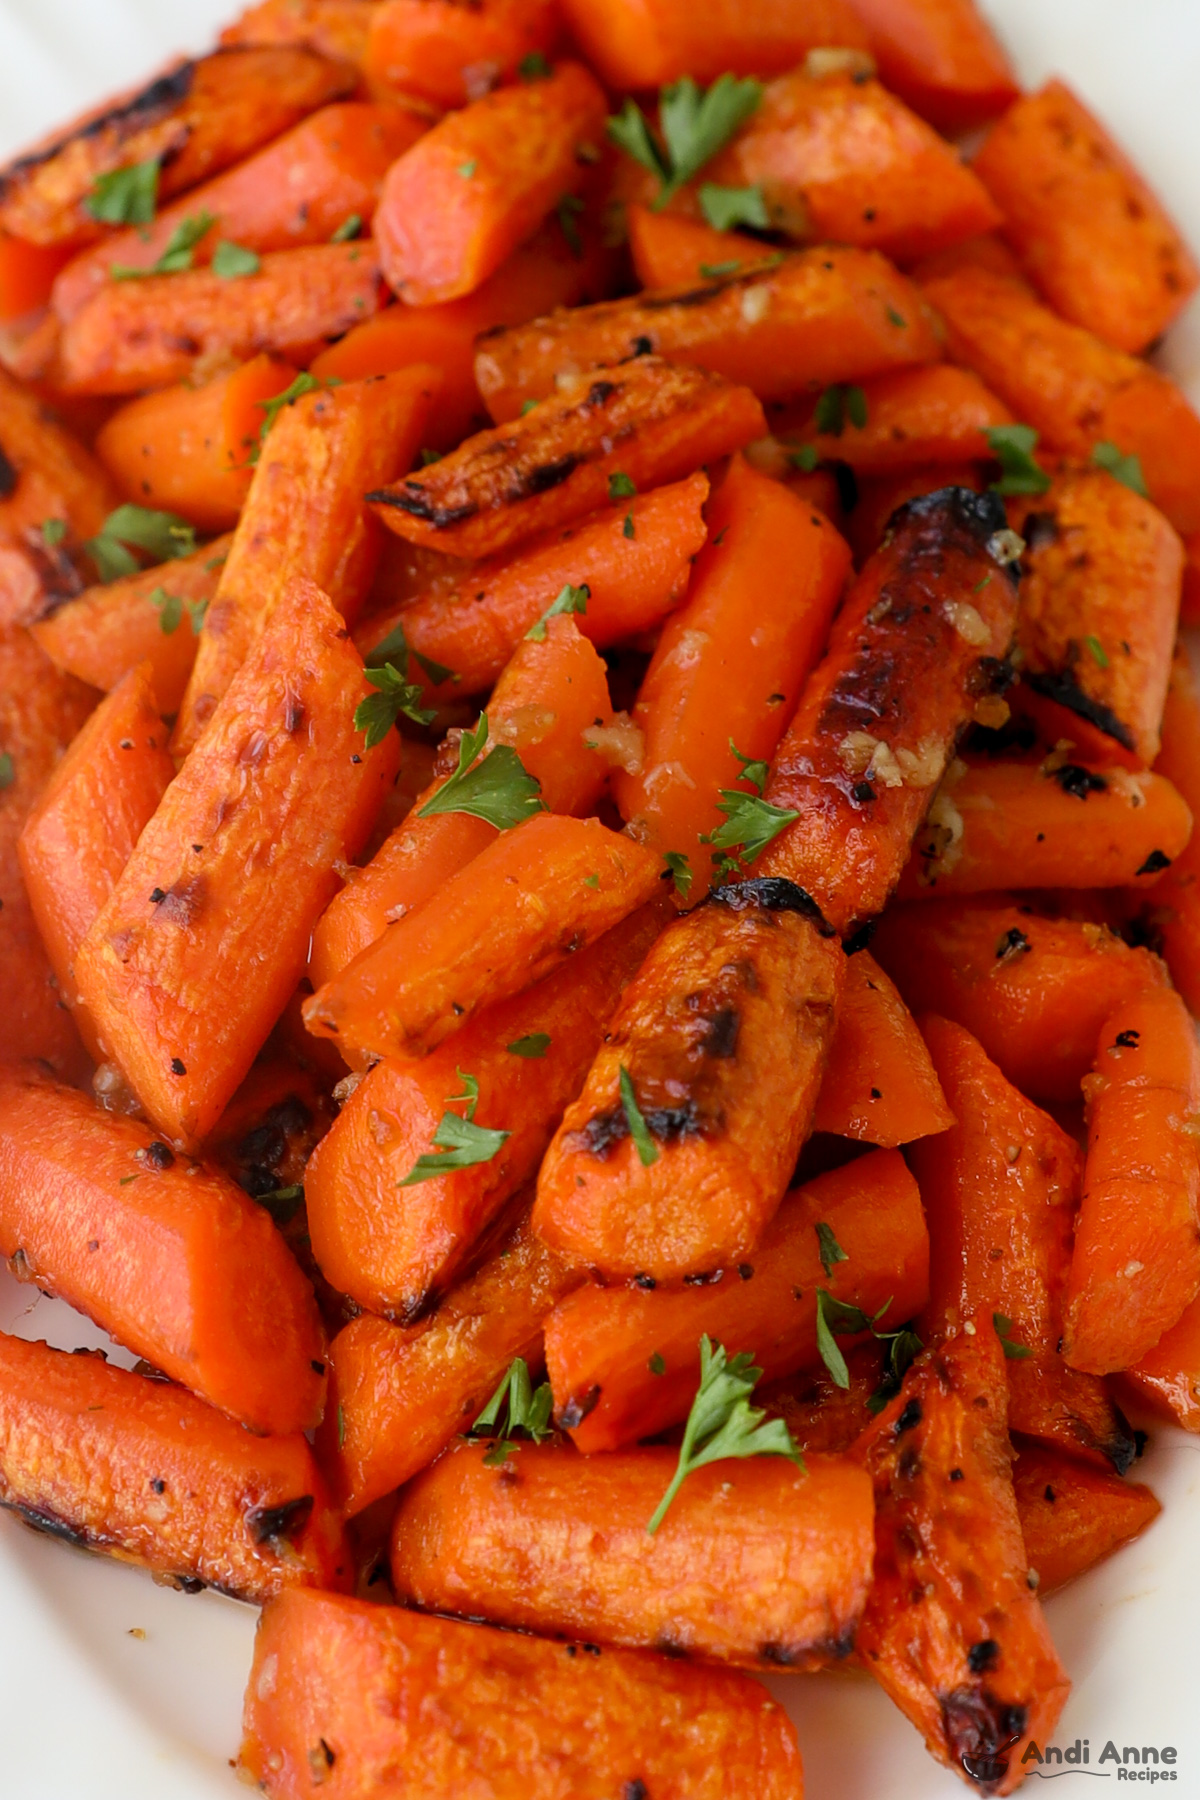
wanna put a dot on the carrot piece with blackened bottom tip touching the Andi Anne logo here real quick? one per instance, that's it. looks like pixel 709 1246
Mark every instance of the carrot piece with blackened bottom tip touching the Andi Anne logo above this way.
pixel 953 1630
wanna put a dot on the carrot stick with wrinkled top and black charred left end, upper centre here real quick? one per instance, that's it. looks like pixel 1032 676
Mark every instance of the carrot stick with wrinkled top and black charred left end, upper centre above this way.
pixel 650 422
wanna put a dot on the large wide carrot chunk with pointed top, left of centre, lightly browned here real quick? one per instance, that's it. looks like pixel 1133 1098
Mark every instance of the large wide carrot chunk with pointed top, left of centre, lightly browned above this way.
pixel 192 921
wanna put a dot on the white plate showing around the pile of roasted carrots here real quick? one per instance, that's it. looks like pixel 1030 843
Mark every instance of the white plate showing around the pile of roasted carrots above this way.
pixel 91 1713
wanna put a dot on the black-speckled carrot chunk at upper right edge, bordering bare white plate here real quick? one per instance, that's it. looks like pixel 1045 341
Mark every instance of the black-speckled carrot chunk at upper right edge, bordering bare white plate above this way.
pixel 1089 229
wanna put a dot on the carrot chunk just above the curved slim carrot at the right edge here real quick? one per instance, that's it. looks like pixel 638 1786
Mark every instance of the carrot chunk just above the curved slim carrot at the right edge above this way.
pixel 1034 989
